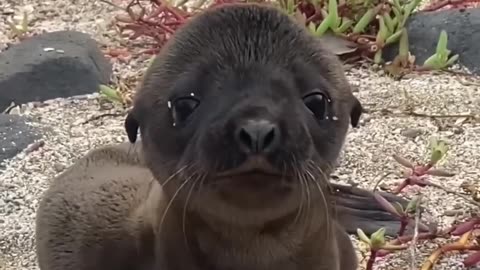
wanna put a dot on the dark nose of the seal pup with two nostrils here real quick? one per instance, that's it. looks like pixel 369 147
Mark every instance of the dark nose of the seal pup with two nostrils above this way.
pixel 258 136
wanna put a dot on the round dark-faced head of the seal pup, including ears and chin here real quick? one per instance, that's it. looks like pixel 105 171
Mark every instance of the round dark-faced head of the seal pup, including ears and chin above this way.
pixel 243 114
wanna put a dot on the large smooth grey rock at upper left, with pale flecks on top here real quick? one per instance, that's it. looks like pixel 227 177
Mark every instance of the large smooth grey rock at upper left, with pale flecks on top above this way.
pixel 51 65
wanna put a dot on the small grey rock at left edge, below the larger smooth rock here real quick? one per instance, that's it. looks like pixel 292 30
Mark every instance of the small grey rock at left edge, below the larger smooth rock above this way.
pixel 15 135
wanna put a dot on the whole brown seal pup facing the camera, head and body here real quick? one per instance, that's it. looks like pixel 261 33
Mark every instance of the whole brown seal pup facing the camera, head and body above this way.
pixel 242 116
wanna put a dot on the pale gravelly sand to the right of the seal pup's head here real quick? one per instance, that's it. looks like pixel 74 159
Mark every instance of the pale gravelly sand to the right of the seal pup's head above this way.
pixel 368 149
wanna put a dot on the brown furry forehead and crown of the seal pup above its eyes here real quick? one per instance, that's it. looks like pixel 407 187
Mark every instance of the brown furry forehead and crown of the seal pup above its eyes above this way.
pixel 232 39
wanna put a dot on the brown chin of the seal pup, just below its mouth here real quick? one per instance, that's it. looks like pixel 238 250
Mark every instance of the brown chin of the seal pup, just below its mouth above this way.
pixel 250 194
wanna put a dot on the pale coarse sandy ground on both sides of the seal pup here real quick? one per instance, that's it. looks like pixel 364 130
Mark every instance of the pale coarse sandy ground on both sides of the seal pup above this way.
pixel 367 155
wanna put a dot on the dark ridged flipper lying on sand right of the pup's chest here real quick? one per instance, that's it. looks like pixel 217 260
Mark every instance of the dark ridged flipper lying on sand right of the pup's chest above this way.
pixel 357 208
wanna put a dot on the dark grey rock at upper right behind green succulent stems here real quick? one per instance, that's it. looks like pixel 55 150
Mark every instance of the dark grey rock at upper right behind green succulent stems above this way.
pixel 463 36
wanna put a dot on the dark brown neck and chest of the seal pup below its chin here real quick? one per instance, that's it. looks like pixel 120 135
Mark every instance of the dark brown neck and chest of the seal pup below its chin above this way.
pixel 209 243
